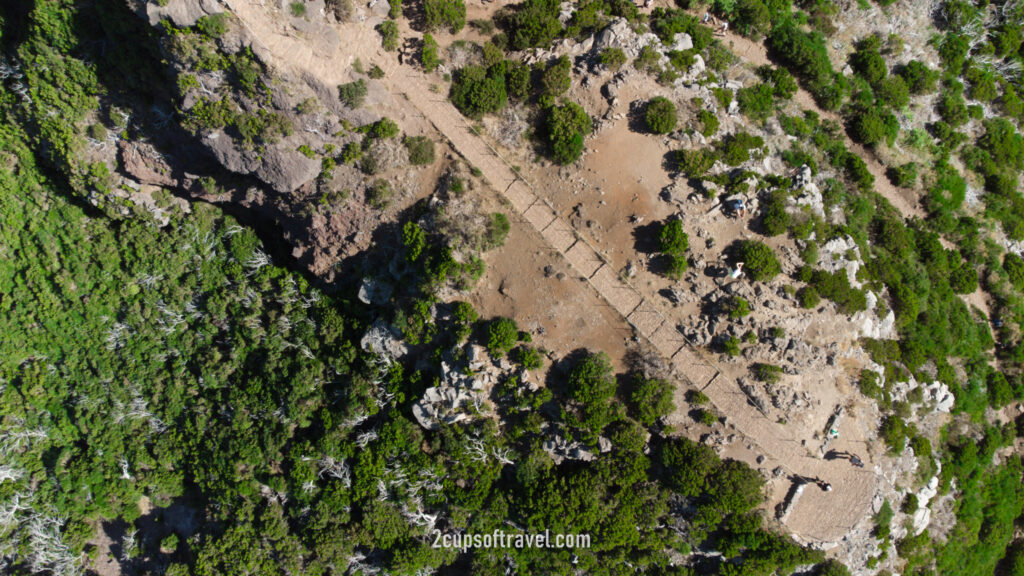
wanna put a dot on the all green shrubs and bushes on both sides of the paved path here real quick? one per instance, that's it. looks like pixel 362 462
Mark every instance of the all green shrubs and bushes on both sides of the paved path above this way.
pixel 179 364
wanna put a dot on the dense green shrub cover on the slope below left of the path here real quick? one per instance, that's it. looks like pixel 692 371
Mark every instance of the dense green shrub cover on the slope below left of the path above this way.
pixel 152 368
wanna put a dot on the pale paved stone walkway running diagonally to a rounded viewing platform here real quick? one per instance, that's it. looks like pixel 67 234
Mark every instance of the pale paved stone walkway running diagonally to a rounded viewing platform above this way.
pixel 818 516
